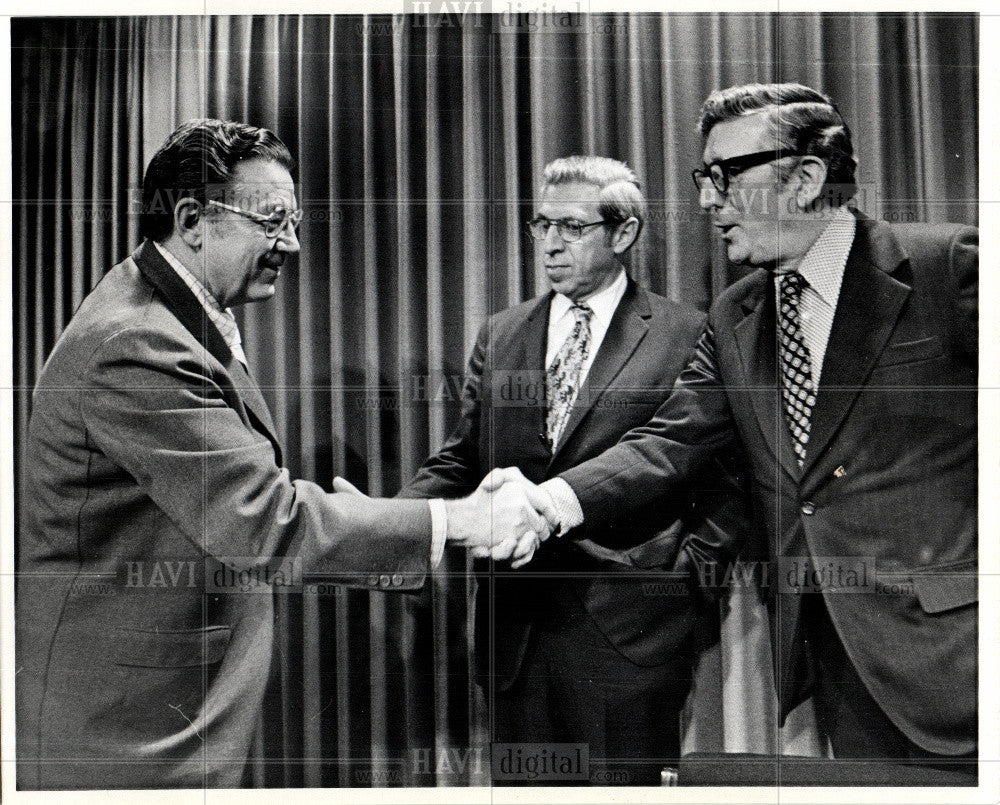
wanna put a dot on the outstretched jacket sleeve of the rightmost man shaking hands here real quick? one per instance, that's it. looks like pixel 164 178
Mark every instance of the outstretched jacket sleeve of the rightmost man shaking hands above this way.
pixel 691 426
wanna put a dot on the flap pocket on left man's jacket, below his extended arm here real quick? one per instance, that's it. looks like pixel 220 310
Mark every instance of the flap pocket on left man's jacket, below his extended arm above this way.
pixel 175 649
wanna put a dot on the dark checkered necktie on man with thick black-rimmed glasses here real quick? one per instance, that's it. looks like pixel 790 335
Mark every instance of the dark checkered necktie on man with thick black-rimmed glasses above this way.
pixel 797 389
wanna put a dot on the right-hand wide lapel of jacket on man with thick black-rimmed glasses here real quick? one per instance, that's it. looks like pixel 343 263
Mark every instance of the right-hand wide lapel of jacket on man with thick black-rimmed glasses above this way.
pixel 869 304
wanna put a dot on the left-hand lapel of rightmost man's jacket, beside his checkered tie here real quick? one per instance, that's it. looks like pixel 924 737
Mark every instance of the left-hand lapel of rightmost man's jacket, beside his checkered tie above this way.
pixel 756 338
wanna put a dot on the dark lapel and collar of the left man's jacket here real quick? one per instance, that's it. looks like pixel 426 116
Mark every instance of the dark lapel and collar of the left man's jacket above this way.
pixel 191 313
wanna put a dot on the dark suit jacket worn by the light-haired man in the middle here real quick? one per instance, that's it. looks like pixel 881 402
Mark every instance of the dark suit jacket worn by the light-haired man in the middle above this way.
pixel 502 421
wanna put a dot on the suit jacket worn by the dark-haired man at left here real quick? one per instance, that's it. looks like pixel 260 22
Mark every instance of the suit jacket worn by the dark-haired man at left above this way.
pixel 152 468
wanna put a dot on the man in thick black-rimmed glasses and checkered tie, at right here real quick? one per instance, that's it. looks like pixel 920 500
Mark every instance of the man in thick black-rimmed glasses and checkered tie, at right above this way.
pixel 845 365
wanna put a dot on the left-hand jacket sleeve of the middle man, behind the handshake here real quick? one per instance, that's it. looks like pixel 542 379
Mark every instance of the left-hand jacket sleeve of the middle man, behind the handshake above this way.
pixel 454 470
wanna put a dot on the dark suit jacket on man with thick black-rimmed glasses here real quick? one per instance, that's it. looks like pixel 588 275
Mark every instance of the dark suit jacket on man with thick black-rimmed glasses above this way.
pixel 889 482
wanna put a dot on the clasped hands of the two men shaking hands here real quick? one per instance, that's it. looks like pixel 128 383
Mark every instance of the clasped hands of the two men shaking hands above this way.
pixel 506 518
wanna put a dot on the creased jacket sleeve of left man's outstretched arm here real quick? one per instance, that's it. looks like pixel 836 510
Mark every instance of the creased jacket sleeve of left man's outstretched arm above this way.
pixel 151 406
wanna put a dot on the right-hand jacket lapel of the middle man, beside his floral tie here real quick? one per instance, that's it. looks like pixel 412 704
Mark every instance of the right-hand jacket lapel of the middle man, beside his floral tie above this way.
pixel 627 329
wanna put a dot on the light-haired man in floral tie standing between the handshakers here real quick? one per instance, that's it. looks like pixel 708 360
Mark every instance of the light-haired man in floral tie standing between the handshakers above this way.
pixel 582 648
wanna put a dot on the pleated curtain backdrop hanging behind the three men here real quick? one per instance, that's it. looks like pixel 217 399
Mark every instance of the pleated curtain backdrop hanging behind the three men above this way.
pixel 420 143
